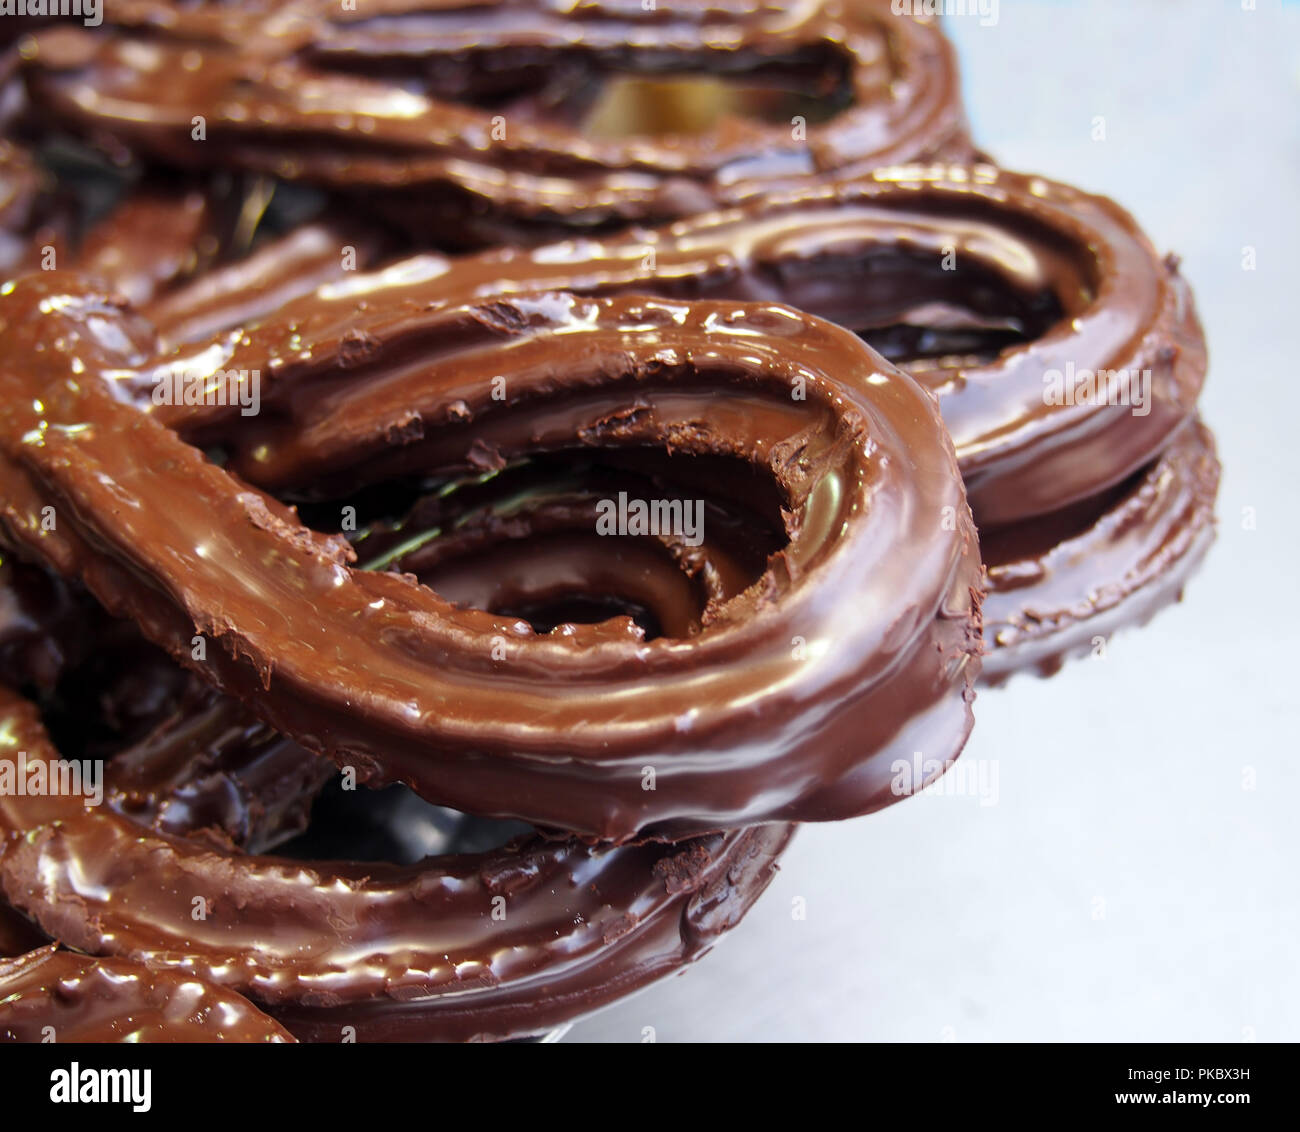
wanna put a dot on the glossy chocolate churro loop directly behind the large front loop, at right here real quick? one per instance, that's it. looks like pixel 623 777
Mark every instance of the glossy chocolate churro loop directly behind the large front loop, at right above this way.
pixel 1072 272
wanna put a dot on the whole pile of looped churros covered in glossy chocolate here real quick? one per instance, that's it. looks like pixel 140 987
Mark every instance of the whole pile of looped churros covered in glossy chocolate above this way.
pixel 517 576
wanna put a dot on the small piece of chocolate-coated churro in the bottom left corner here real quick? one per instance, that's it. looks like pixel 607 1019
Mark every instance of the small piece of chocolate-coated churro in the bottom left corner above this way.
pixel 85 1000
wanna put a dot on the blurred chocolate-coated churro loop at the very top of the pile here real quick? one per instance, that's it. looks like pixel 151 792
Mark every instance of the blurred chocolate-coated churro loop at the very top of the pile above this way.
pixel 474 116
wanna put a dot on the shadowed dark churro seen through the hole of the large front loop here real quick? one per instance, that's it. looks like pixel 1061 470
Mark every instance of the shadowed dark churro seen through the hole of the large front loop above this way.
pixel 526 544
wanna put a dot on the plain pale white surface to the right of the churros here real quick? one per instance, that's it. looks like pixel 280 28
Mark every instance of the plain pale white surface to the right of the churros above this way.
pixel 1126 886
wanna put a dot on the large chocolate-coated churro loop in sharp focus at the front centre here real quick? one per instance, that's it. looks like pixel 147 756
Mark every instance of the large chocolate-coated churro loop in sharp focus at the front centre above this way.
pixel 779 709
